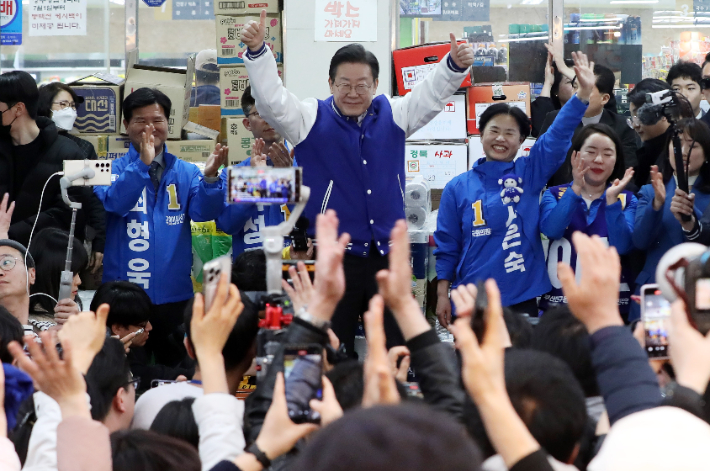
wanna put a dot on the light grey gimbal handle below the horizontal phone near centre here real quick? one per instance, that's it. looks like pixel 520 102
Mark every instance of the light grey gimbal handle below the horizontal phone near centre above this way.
pixel 274 243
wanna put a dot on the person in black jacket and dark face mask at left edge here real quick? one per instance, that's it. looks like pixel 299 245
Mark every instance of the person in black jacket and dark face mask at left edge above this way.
pixel 31 150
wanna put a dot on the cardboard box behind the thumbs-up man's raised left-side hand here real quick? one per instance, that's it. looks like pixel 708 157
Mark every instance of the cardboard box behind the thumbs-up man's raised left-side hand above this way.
pixel 230 47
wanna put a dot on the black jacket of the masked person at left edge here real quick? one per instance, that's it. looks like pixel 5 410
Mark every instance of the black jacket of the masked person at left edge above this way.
pixel 54 149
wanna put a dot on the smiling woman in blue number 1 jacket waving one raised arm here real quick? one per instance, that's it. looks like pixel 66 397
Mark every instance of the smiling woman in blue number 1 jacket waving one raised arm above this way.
pixel 488 217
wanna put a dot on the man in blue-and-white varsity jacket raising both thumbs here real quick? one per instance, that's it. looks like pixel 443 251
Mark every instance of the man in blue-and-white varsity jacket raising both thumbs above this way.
pixel 360 172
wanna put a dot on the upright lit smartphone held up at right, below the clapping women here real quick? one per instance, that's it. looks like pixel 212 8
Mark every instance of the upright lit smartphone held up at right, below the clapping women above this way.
pixel 656 312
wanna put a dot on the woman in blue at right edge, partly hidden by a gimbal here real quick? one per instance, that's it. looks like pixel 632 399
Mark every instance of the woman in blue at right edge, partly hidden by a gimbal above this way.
pixel 659 226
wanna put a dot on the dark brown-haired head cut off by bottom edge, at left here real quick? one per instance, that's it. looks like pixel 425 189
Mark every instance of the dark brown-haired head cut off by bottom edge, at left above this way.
pixel 143 450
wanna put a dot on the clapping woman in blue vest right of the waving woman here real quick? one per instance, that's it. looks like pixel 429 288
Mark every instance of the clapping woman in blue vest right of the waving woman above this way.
pixel 595 203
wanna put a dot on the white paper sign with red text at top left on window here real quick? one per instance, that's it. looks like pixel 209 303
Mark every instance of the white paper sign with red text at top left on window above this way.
pixel 57 17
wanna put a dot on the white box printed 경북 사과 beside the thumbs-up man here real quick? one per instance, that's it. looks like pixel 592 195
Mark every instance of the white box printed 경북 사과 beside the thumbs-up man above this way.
pixel 437 163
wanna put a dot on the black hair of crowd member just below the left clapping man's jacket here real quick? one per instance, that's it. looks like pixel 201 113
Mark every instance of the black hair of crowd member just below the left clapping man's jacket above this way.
pixel 130 304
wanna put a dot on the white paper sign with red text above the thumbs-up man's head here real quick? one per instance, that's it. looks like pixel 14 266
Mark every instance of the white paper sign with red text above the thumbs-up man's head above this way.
pixel 346 20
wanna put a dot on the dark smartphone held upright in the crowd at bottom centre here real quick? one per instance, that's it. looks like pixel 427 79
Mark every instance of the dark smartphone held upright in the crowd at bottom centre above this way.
pixel 303 368
